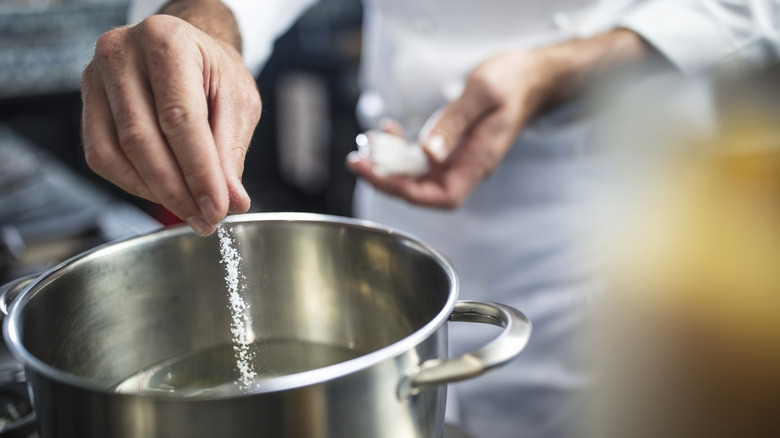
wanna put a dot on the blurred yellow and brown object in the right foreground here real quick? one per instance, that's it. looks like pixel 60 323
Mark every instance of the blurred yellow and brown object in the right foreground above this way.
pixel 695 294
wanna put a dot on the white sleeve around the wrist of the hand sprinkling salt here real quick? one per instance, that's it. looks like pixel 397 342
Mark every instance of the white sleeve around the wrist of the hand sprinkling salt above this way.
pixel 260 23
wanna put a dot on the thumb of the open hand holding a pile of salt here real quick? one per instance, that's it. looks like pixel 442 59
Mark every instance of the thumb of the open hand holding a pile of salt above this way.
pixel 452 124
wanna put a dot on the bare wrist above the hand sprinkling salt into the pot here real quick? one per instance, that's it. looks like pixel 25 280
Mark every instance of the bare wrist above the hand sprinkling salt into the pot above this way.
pixel 210 16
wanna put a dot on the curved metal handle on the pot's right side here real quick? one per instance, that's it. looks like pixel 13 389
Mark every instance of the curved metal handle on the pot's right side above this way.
pixel 508 345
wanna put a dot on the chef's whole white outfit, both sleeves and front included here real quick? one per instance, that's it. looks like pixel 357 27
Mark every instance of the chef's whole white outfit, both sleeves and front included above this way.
pixel 515 239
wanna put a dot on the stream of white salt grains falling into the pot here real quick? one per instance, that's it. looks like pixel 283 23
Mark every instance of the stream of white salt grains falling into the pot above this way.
pixel 240 318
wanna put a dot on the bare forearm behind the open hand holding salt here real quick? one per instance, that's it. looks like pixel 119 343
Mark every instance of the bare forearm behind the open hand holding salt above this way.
pixel 573 64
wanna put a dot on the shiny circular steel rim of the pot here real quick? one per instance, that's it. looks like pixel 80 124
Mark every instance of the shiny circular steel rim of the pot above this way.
pixel 11 323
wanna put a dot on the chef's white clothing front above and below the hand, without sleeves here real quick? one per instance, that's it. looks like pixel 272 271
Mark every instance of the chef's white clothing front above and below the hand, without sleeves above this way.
pixel 515 241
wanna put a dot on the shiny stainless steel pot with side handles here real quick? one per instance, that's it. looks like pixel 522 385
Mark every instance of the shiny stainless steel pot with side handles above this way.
pixel 312 282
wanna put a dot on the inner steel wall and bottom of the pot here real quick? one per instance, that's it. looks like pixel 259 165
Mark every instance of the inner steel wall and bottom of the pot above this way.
pixel 319 292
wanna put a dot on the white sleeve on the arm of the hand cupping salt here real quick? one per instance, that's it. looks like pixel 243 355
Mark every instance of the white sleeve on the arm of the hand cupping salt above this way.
pixel 699 35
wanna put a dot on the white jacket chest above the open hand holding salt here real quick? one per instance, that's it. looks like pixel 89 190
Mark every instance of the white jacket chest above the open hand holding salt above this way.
pixel 418 53
